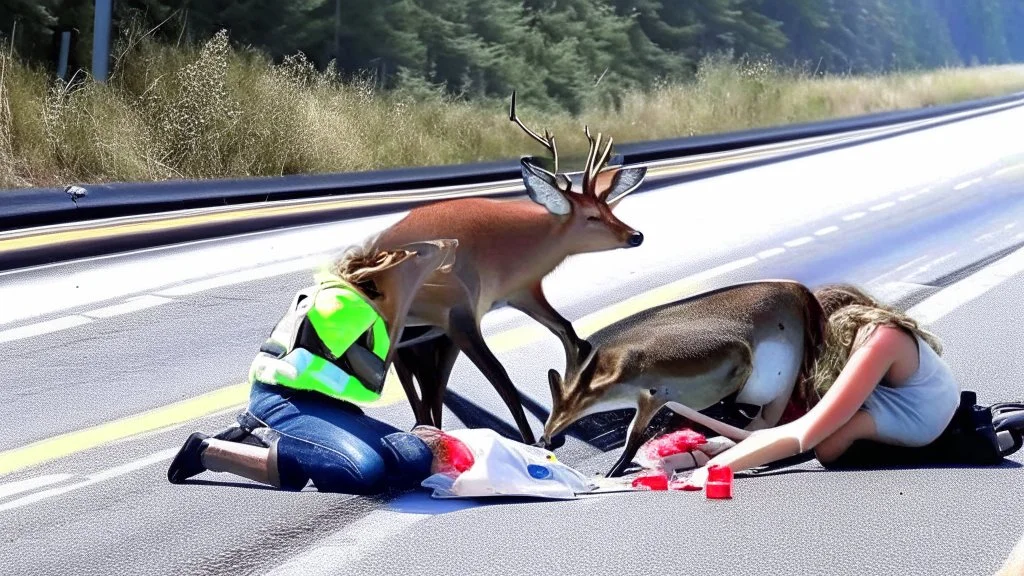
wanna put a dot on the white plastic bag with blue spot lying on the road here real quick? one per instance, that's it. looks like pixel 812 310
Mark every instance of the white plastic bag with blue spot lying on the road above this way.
pixel 506 468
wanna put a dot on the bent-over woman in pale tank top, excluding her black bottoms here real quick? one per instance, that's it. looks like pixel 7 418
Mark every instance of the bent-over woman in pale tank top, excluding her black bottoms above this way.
pixel 880 378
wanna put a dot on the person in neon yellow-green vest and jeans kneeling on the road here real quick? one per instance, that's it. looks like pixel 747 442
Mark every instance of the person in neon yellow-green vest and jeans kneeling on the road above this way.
pixel 330 351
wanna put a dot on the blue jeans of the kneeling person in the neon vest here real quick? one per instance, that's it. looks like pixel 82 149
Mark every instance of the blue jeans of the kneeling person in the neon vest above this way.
pixel 334 444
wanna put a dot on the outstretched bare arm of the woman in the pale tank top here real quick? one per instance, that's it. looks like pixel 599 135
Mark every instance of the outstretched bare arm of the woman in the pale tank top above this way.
pixel 868 365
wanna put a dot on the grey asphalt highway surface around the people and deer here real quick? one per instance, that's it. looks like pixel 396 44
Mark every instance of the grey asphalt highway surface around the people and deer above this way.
pixel 110 363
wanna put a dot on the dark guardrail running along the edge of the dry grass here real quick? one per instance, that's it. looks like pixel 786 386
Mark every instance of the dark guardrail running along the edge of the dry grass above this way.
pixel 32 208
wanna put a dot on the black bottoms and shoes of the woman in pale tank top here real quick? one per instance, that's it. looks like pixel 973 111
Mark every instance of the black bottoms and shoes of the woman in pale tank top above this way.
pixel 972 438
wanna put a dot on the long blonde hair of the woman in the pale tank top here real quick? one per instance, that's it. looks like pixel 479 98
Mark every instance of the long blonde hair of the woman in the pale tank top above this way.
pixel 852 315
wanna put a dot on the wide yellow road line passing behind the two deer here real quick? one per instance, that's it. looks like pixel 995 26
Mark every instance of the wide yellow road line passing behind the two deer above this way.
pixel 236 396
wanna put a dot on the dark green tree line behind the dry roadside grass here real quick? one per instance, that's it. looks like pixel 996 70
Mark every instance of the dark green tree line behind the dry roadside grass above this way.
pixel 556 53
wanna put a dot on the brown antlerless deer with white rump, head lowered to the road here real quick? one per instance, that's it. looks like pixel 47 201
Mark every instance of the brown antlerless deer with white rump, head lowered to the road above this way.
pixel 755 341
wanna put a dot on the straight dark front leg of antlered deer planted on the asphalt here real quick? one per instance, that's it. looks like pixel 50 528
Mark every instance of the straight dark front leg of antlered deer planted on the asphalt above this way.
pixel 464 330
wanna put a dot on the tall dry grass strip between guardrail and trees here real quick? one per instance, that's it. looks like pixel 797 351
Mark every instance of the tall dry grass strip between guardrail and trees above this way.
pixel 214 111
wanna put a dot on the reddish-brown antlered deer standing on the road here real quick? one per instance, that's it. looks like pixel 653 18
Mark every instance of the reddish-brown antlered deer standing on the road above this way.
pixel 506 249
